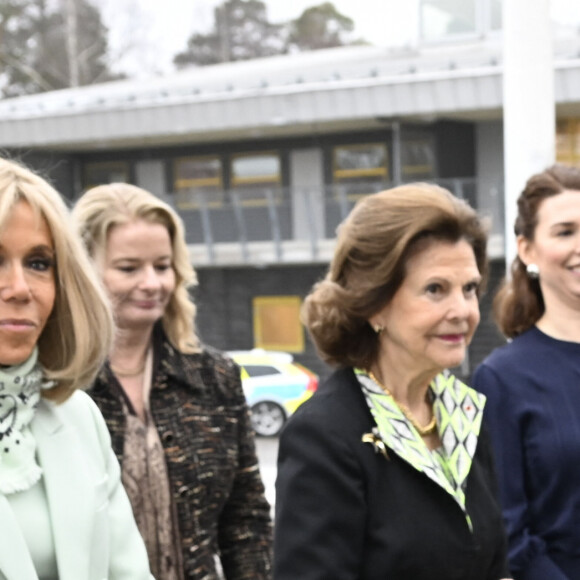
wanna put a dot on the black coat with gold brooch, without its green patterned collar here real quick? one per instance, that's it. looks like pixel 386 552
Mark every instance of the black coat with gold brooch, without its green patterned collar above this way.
pixel 344 512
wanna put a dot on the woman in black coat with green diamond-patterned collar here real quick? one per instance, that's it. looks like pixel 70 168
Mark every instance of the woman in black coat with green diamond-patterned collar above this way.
pixel 385 472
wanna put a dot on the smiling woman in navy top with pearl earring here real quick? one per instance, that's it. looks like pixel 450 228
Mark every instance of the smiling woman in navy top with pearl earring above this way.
pixel 532 383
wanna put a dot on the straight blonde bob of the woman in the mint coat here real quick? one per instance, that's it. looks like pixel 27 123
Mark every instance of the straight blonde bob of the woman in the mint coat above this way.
pixel 69 349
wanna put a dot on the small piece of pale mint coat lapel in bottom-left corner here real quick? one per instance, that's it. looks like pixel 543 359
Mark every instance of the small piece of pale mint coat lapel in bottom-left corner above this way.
pixel 15 560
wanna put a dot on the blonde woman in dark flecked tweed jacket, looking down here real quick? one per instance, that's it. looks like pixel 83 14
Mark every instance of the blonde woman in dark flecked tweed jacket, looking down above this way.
pixel 175 410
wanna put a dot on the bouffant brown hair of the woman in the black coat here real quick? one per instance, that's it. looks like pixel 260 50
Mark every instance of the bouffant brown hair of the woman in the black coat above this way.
pixel 373 246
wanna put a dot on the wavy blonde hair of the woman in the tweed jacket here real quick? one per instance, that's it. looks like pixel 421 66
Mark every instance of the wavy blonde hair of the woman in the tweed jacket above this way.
pixel 104 207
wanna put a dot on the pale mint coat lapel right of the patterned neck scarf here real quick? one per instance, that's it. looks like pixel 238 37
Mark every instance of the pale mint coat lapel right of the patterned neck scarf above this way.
pixel 61 456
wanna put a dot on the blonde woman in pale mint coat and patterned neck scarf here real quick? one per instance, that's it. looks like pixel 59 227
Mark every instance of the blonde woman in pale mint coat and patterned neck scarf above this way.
pixel 59 479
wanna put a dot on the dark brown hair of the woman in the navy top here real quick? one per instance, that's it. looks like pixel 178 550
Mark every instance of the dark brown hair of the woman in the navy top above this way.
pixel 519 303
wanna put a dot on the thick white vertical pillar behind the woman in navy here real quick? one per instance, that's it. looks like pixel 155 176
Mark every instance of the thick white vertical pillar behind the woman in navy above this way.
pixel 528 101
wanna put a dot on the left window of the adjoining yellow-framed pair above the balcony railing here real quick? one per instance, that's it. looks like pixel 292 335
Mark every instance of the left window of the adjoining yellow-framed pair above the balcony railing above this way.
pixel 198 180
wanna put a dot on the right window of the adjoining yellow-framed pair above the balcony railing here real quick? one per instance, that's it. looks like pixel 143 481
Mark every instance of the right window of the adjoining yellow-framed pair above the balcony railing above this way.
pixel 255 177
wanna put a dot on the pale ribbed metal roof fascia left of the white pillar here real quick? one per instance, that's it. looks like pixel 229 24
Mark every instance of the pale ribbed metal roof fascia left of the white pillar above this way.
pixel 429 93
